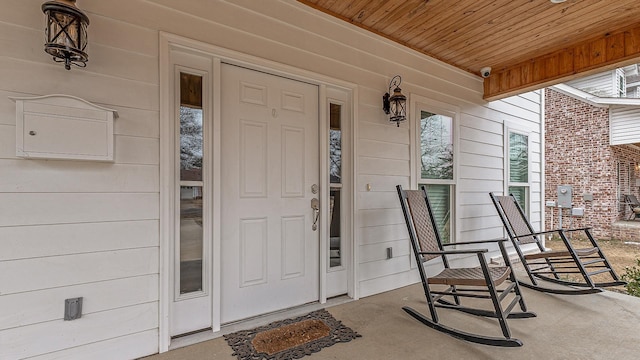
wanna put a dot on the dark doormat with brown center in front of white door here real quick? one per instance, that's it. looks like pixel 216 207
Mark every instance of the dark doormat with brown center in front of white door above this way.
pixel 290 338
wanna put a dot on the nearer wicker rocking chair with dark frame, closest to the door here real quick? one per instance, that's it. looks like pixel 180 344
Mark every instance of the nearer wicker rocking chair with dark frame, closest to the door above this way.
pixel 453 284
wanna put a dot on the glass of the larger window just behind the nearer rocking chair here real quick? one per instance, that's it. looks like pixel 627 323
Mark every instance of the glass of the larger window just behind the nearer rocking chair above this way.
pixel 437 167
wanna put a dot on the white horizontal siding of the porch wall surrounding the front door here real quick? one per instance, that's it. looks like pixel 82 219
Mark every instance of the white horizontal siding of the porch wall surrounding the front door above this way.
pixel 69 222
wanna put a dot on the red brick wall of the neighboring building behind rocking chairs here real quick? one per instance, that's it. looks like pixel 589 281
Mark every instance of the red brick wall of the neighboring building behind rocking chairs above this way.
pixel 577 153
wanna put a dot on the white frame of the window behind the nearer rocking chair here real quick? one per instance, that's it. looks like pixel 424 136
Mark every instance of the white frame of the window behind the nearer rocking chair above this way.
pixel 417 105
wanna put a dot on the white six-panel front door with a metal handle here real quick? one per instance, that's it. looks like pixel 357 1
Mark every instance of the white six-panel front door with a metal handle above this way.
pixel 269 166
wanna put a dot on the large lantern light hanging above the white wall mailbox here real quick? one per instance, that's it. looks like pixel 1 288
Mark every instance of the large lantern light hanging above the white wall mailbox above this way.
pixel 66 33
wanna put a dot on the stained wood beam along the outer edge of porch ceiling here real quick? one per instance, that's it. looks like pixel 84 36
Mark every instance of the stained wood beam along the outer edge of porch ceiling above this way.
pixel 609 51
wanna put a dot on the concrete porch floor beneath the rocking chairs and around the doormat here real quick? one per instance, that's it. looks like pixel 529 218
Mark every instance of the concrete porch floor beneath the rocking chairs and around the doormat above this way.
pixel 596 326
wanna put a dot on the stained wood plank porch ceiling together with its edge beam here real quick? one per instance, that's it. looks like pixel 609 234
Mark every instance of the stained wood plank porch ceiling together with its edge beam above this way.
pixel 529 44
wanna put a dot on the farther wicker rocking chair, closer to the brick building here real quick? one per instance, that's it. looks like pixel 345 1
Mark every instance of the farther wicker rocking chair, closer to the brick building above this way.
pixel 554 265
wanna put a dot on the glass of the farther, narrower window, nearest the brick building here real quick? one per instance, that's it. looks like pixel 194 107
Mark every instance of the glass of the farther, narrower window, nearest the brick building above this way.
pixel 518 168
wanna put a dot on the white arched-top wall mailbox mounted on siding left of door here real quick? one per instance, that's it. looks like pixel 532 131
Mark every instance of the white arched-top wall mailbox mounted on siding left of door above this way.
pixel 63 127
